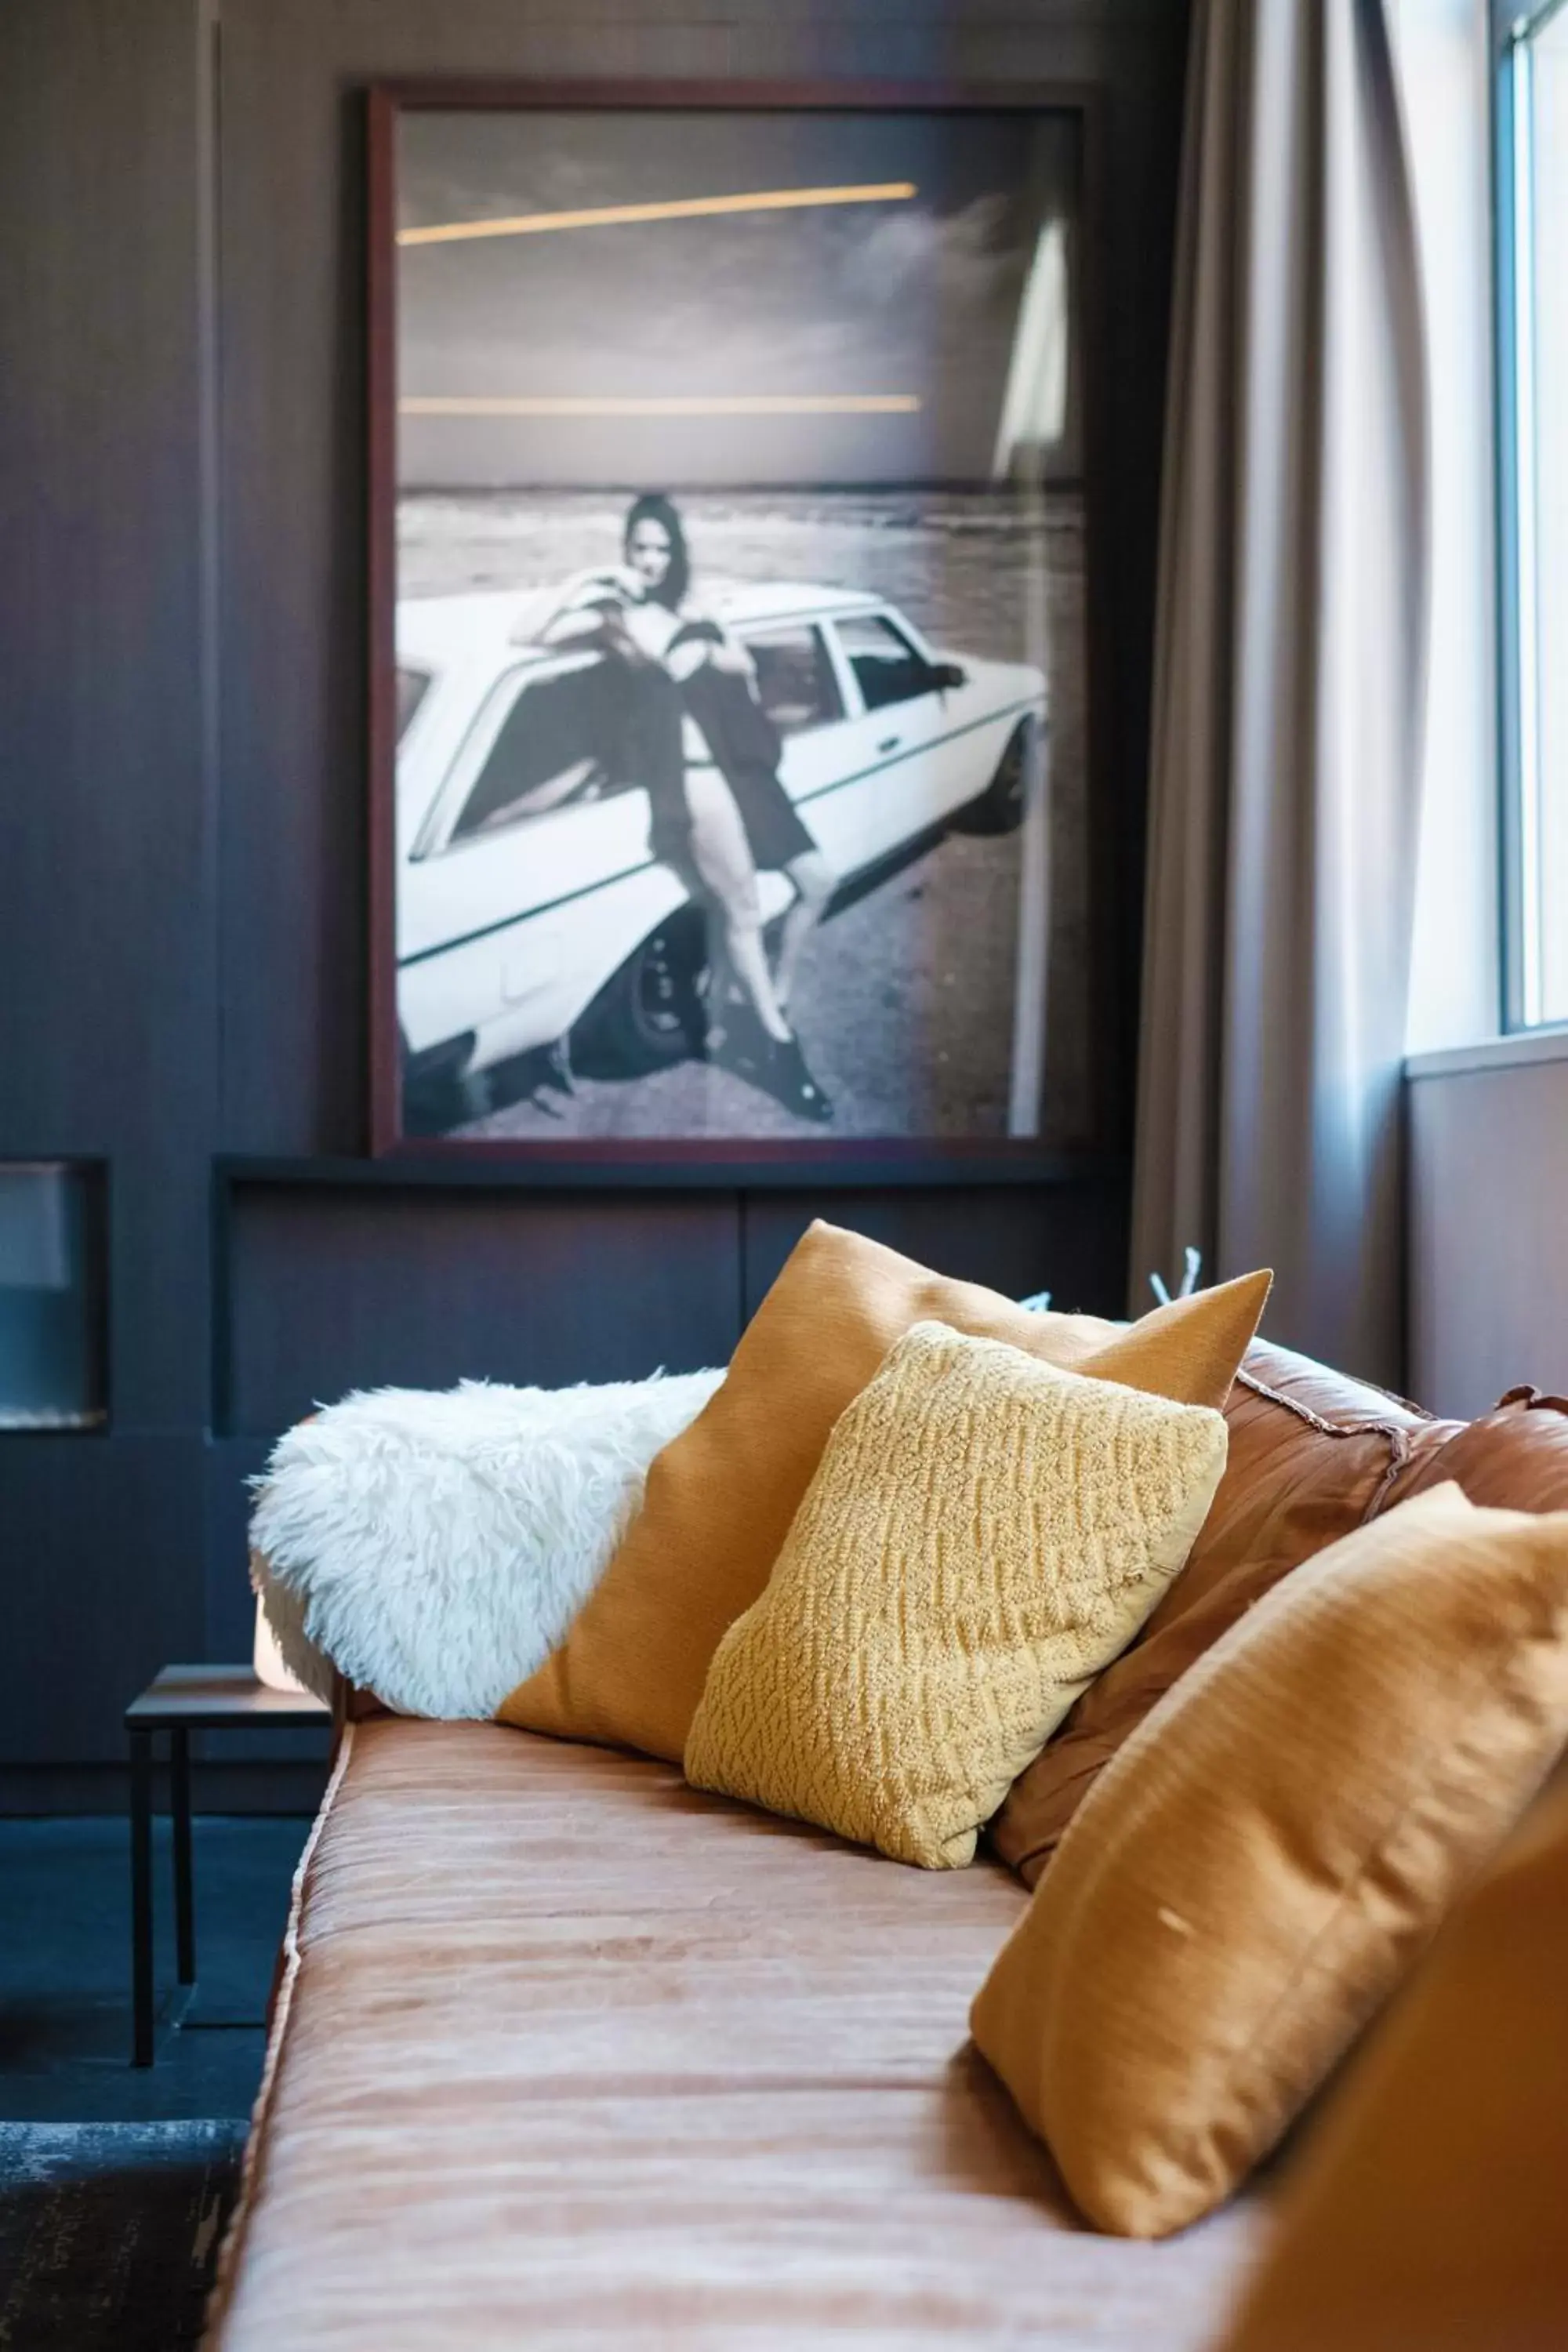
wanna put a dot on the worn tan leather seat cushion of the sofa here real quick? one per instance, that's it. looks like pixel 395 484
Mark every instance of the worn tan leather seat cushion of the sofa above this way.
pixel 570 2054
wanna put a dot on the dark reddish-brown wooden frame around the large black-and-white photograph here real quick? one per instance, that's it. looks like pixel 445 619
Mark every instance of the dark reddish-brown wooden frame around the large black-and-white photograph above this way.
pixel 674 1158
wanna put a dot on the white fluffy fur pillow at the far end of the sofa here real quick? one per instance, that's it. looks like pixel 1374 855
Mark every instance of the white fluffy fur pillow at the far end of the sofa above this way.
pixel 436 1546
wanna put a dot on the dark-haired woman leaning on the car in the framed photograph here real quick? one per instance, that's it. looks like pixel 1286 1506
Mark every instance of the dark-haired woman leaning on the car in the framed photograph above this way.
pixel 709 759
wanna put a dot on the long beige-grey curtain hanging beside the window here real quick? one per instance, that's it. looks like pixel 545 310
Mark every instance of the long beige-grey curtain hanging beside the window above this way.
pixel 1289 683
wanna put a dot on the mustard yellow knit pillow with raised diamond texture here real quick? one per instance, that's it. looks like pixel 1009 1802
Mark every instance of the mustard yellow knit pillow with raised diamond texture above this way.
pixel 981 1537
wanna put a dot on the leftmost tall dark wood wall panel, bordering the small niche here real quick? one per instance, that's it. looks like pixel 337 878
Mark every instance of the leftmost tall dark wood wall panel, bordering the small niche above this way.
pixel 107 904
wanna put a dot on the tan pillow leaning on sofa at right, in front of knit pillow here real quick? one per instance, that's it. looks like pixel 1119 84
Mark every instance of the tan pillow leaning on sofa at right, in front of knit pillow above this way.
pixel 1261 1862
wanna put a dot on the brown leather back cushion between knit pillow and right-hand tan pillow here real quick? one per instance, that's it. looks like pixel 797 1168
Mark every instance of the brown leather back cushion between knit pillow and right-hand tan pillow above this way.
pixel 1313 1455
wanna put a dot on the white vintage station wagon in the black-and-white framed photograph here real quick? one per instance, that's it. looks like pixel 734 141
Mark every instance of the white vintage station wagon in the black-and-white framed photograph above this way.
pixel 530 909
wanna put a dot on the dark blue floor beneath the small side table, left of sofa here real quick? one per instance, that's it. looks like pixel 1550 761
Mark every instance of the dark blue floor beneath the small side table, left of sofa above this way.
pixel 65 1970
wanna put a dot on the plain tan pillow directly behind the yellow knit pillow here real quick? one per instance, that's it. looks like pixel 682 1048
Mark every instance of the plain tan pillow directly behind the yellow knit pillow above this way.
pixel 721 1497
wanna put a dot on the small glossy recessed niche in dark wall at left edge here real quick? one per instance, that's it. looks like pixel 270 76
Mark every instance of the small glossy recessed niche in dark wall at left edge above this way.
pixel 53 1328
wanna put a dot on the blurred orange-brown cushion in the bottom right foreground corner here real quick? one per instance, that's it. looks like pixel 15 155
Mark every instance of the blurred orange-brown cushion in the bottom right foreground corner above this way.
pixel 1428 2210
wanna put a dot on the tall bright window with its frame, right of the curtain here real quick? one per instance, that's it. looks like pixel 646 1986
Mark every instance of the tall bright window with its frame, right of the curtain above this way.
pixel 1534 443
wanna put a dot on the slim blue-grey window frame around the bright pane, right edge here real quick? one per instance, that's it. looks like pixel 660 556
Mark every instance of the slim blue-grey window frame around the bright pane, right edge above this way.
pixel 1515 29
